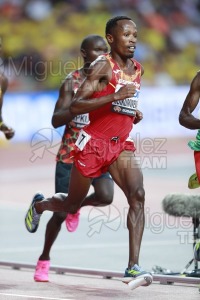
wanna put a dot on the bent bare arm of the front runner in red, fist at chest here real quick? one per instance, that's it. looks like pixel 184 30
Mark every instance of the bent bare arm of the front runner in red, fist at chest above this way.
pixel 98 77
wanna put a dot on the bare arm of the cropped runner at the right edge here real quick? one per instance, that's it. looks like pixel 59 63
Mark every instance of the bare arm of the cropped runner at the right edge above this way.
pixel 186 118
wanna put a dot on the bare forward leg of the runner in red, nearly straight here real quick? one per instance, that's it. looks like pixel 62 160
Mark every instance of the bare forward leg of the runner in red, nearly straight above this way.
pixel 127 174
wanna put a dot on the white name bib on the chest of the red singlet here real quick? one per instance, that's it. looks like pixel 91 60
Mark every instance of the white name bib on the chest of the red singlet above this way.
pixel 126 106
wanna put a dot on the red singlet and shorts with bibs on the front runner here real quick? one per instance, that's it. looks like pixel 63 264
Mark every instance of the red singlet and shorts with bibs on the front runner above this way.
pixel 110 125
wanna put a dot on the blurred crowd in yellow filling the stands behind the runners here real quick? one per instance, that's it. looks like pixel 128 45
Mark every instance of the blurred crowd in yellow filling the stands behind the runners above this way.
pixel 40 38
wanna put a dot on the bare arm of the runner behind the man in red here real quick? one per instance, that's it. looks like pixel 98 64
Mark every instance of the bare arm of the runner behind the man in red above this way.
pixel 62 114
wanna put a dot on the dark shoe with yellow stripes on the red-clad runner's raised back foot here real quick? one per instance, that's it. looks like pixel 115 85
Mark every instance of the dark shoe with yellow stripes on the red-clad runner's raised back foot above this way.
pixel 32 218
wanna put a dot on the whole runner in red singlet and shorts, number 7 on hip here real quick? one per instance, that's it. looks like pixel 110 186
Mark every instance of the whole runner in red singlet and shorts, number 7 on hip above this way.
pixel 111 99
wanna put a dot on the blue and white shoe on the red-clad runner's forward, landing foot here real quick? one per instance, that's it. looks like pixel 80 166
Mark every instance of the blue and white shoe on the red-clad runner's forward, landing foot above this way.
pixel 136 272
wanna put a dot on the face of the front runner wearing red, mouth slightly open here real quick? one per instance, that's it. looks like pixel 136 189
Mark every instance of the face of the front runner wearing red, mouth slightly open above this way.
pixel 123 38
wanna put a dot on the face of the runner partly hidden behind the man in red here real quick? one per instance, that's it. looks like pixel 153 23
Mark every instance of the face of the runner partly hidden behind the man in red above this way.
pixel 95 48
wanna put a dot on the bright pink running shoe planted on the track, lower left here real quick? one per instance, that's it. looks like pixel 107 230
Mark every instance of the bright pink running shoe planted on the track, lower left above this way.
pixel 42 271
